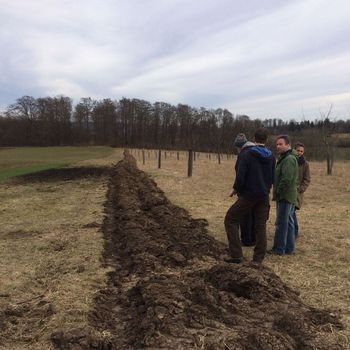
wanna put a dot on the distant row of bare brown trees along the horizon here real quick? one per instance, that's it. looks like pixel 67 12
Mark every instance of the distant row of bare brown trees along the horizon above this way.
pixel 53 121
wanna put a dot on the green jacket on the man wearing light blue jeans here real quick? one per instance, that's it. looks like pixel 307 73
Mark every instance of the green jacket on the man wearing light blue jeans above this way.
pixel 286 178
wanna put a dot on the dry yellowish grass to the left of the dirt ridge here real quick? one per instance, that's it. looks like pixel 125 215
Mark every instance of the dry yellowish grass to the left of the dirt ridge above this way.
pixel 51 245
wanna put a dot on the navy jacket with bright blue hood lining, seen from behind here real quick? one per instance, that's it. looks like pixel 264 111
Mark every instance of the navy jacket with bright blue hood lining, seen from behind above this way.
pixel 255 168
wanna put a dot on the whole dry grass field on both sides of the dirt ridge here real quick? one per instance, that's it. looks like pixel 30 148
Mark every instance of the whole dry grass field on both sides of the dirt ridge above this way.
pixel 51 243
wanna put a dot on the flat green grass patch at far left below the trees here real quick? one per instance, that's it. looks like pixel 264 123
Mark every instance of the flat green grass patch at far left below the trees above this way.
pixel 25 160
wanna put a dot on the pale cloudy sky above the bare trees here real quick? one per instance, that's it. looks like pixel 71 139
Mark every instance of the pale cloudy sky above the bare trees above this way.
pixel 263 58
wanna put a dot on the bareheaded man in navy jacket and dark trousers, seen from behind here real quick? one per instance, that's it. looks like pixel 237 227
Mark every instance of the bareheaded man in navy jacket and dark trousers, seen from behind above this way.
pixel 254 177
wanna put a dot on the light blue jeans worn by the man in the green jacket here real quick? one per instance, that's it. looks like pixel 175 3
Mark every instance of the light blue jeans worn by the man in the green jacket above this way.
pixel 284 235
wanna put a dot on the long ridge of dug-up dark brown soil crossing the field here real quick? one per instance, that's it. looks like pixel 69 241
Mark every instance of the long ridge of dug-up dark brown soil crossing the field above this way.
pixel 170 289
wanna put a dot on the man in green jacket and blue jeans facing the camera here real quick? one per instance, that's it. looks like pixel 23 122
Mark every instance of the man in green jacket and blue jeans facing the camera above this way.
pixel 285 195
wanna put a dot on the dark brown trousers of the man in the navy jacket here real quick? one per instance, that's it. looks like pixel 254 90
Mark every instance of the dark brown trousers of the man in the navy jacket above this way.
pixel 235 214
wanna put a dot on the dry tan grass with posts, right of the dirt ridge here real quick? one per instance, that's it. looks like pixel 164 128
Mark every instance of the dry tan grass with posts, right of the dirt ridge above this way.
pixel 321 268
